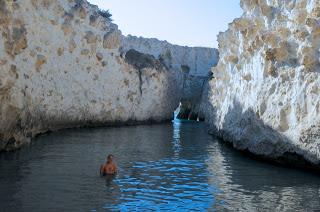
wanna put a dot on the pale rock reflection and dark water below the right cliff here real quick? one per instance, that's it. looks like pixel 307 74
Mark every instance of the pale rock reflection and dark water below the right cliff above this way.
pixel 248 185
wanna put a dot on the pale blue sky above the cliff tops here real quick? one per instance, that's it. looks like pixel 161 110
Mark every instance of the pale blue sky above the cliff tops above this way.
pixel 182 22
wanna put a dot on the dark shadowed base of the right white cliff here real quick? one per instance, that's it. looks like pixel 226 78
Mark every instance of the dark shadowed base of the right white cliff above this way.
pixel 240 130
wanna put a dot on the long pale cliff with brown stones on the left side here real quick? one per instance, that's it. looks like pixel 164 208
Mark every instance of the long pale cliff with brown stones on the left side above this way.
pixel 61 66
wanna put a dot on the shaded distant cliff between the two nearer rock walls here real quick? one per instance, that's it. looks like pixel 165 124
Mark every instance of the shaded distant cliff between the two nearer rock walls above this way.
pixel 191 67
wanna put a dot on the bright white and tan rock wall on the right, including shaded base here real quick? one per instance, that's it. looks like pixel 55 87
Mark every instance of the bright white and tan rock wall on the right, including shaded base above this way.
pixel 265 94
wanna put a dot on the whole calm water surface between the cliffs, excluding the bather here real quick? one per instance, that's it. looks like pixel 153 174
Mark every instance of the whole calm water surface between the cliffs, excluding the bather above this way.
pixel 174 166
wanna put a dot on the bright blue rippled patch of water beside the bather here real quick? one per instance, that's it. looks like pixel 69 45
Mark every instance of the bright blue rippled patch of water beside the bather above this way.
pixel 172 184
